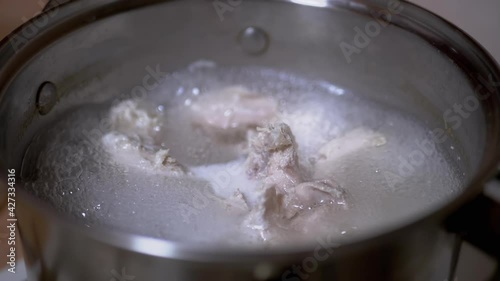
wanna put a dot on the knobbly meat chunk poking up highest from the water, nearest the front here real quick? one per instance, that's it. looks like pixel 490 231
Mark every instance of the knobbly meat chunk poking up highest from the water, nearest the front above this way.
pixel 286 201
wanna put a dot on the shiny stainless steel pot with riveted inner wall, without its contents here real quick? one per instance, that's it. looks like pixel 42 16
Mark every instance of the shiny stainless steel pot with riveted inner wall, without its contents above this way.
pixel 86 51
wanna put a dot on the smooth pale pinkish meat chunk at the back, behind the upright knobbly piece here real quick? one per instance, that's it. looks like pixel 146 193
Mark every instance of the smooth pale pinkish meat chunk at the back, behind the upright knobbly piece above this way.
pixel 231 111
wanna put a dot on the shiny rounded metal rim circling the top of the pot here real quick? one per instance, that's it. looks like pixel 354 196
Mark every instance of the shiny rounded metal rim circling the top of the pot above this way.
pixel 477 58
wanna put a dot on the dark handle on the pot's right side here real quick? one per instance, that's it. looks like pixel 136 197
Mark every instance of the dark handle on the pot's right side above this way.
pixel 478 222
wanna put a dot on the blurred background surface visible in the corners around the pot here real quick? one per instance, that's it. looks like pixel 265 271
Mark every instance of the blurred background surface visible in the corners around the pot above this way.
pixel 479 18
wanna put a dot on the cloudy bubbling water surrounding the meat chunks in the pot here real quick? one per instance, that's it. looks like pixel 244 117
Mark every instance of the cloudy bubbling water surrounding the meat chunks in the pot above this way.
pixel 405 177
